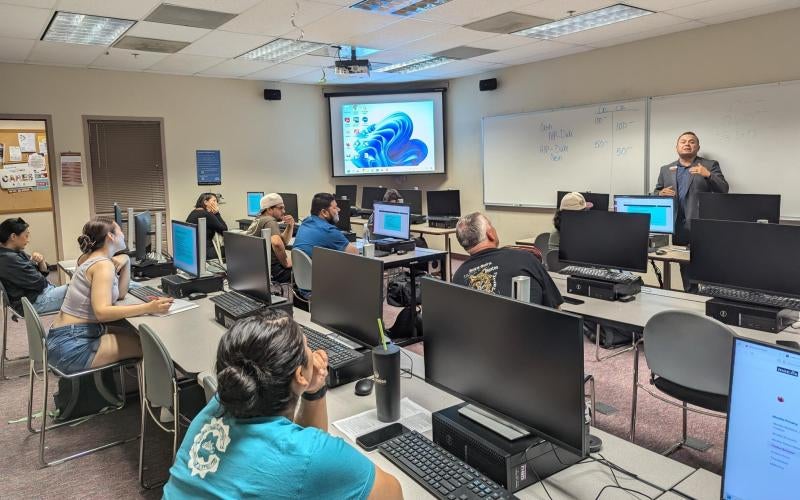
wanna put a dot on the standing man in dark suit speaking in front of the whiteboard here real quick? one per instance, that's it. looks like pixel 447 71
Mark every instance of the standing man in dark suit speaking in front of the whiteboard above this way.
pixel 684 180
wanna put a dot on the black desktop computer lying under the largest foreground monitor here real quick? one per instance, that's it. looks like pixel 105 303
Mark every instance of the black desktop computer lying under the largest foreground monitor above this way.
pixel 514 464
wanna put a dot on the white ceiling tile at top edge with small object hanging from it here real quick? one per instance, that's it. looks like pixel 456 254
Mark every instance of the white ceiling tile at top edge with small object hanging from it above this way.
pixel 273 17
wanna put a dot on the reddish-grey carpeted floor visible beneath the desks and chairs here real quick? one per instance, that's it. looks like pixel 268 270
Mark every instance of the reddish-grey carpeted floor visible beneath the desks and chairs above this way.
pixel 113 473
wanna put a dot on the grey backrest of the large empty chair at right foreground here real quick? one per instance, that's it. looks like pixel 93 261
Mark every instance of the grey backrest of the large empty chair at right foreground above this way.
pixel 690 349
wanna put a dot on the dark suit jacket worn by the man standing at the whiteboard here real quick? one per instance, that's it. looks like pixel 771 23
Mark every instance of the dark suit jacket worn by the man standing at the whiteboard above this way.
pixel 715 183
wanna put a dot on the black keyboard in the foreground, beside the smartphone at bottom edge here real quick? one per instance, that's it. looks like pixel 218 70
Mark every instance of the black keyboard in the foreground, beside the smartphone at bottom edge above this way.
pixel 438 471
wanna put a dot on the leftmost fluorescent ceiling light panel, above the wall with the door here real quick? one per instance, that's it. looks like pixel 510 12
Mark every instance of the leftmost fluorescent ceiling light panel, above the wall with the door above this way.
pixel 66 27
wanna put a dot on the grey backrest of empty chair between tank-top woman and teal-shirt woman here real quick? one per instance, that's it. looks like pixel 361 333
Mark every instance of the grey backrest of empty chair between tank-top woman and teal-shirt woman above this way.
pixel 159 371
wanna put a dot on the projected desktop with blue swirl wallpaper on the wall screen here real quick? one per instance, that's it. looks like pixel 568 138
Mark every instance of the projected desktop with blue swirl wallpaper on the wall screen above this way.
pixel 388 137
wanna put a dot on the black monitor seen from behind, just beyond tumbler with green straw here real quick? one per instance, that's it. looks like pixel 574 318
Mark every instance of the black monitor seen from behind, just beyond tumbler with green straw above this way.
pixel 348 294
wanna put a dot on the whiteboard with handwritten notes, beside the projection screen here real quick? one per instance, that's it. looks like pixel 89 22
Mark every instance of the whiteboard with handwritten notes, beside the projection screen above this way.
pixel 528 157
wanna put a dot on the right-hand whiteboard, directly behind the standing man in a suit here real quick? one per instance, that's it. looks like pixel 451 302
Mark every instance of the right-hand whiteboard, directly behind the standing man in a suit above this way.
pixel 753 132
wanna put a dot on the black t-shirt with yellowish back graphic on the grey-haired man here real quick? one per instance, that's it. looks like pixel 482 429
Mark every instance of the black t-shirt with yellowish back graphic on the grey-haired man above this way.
pixel 492 271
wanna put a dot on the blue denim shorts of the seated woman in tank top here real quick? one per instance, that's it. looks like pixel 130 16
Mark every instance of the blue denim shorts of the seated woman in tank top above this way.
pixel 71 348
